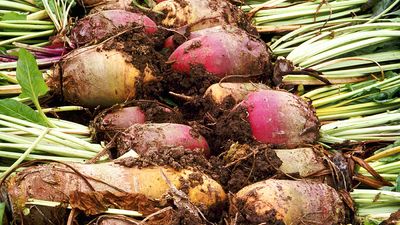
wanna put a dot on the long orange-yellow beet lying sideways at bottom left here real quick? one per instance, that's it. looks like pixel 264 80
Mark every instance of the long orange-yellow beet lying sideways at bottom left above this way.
pixel 104 185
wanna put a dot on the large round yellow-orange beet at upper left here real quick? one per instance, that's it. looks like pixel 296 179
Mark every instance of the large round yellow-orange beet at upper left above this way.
pixel 97 75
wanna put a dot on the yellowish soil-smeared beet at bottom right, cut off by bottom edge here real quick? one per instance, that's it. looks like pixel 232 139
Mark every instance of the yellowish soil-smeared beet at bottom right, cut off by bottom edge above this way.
pixel 287 201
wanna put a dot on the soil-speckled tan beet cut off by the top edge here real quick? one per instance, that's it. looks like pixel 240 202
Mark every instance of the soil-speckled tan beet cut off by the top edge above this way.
pixel 199 14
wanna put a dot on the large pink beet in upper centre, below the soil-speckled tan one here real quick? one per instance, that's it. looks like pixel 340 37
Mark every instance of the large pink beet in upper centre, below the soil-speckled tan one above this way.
pixel 231 51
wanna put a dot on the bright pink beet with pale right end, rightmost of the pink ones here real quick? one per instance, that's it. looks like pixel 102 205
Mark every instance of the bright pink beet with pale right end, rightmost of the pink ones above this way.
pixel 280 118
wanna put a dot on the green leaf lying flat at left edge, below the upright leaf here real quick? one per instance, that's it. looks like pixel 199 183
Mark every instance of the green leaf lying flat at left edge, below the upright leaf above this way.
pixel 11 107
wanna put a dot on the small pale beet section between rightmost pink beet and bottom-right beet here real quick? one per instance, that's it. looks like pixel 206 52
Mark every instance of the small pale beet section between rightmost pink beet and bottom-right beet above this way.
pixel 300 161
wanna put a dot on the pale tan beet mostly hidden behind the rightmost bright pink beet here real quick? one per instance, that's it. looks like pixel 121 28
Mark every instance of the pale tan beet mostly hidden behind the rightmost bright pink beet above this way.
pixel 219 93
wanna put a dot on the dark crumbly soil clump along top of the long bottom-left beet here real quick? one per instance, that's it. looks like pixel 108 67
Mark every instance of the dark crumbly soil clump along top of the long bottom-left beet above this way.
pixel 241 165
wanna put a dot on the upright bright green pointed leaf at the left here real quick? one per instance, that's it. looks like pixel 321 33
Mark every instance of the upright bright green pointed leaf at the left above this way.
pixel 29 76
